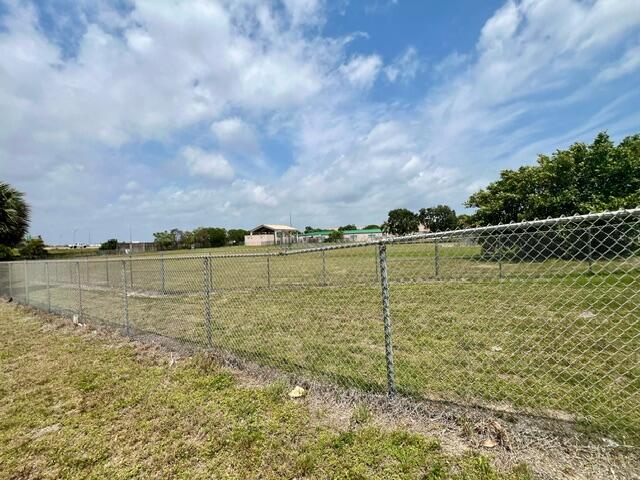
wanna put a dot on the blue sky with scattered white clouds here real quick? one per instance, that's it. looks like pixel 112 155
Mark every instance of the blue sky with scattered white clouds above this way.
pixel 150 114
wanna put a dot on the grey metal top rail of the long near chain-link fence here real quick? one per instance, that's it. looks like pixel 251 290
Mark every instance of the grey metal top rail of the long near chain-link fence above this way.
pixel 625 213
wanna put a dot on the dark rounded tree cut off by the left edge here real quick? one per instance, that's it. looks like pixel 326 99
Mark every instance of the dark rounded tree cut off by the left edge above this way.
pixel 14 215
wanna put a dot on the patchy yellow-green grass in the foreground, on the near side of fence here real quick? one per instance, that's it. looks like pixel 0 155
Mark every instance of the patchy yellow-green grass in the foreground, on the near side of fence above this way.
pixel 82 406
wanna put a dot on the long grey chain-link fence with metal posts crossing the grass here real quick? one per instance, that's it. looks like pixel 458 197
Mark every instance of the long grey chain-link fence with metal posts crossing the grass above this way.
pixel 540 317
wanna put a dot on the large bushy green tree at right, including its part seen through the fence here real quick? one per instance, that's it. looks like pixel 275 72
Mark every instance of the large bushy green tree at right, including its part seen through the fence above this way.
pixel 582 179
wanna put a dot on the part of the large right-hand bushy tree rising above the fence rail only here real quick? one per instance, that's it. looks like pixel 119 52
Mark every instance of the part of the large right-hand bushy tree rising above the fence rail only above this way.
pixel 583 178
